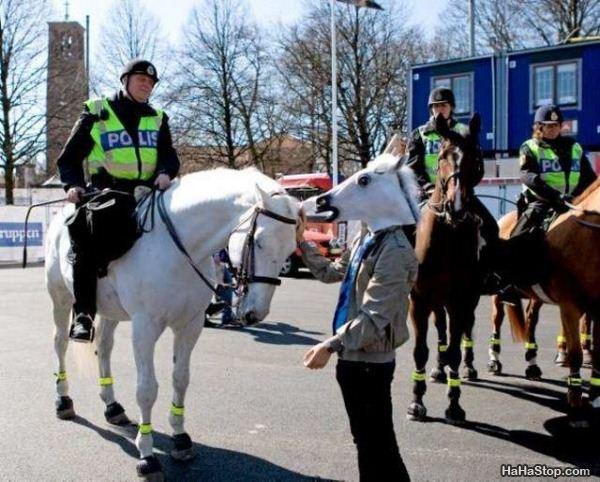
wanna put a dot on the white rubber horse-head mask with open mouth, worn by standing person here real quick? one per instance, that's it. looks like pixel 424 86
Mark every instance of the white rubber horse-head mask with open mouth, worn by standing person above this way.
pixel 383 194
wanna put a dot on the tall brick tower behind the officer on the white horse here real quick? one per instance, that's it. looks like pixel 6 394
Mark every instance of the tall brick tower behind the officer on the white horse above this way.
pixel 67 87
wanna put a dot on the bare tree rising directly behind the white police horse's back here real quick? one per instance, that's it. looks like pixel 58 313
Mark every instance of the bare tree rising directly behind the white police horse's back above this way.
pixel 223 86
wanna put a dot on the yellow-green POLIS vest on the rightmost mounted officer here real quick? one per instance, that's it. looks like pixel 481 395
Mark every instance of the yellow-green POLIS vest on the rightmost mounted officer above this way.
pixel 551 171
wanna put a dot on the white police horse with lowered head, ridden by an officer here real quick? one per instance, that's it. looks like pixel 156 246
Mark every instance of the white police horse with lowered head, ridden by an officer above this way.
pixel 154 286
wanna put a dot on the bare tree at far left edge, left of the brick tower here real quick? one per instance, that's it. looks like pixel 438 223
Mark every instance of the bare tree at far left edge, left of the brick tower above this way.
pixel 22 75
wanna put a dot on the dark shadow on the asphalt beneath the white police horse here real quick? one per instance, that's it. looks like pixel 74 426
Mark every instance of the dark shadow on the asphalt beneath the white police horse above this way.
pixel 210 463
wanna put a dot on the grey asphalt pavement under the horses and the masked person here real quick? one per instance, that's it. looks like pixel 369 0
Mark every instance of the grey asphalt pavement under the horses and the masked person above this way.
pixel 256 414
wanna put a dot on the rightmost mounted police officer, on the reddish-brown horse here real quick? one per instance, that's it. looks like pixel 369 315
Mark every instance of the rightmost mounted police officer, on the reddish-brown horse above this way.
pixel 554 169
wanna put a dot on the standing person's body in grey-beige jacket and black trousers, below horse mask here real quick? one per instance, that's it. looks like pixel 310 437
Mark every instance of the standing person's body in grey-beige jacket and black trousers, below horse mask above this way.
pixel 377 275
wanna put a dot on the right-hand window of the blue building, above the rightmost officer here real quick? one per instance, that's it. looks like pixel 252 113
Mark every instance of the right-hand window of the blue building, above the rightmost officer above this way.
pixel 555 84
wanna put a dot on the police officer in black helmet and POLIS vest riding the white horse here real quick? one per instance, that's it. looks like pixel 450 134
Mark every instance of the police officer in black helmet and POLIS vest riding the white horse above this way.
pixel 127 143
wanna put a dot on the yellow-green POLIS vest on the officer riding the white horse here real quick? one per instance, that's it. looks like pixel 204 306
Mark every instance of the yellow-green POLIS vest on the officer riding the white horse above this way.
pixel 114 149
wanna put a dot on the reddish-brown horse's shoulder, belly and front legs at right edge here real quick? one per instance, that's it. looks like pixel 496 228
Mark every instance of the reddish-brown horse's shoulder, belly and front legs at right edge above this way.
pixel 573 283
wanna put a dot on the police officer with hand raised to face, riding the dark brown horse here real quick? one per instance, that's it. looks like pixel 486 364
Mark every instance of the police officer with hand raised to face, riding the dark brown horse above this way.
pixel 423 151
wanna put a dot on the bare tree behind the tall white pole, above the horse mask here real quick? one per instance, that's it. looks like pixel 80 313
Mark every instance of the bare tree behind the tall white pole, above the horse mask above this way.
pixel 374 52
